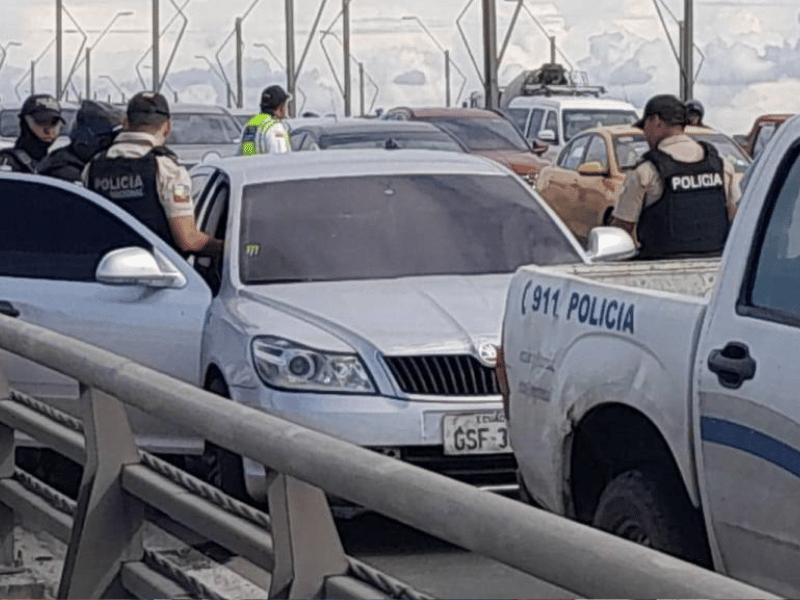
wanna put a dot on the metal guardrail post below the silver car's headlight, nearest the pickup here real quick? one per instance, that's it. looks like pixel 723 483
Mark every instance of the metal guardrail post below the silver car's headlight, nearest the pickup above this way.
pixel 307 545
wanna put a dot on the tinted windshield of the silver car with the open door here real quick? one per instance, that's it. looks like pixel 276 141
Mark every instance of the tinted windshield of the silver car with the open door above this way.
pixel 344 228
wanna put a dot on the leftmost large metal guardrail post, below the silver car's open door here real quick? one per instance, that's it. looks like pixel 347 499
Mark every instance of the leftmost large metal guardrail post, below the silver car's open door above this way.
pixel 108 523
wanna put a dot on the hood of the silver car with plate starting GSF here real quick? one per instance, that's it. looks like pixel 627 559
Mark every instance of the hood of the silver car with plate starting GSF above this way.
pixel 413 315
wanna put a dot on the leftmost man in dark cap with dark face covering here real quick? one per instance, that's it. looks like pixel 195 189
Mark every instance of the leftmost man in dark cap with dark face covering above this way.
pixel 40 123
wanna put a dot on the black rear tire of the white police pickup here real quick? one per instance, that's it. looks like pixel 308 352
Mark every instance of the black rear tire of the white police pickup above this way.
pixel 652 508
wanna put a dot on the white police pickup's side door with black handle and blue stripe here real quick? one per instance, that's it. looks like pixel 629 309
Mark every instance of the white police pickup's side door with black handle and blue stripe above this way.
pixel 748 398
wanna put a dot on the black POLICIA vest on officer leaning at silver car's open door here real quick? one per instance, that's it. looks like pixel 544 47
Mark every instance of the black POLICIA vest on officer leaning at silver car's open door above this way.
pixel 131 184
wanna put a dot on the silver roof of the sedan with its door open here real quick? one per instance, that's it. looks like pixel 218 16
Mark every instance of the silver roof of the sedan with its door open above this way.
pixel 343 163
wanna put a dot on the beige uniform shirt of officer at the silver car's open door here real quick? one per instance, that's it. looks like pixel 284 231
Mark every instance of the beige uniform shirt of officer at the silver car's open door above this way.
pixel 172 180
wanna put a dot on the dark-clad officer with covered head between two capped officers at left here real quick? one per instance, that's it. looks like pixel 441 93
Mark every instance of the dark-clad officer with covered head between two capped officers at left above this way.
pixel 96 126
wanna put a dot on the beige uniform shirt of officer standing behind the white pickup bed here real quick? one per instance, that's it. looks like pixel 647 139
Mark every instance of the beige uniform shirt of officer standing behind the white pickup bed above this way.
pixel 643 185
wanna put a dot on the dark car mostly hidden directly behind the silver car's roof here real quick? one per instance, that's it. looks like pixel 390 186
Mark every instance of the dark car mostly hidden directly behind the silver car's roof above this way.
pixel 367 133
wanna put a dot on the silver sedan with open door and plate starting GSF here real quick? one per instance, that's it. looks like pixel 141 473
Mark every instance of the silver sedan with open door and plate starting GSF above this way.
pixel 360 294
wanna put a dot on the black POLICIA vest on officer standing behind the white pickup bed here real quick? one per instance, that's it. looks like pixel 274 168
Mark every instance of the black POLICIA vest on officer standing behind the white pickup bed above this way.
pixel 691 217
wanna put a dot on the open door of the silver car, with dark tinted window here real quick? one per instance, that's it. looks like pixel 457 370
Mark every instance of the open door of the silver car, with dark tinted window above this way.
pixel 52 237
